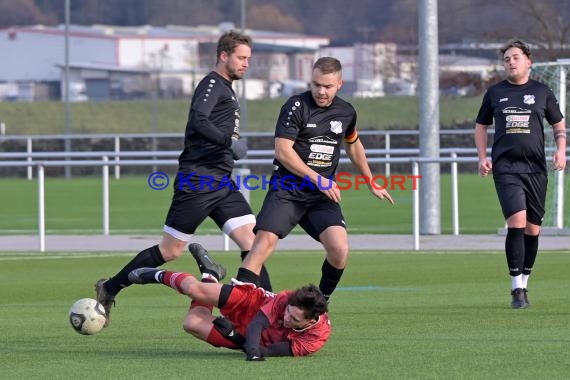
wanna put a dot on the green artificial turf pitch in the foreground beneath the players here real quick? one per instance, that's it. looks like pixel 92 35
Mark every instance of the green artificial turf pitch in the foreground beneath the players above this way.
pixel 395 316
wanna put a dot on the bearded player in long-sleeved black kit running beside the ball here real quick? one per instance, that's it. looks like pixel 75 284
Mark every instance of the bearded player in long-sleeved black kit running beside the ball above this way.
pixel 211 145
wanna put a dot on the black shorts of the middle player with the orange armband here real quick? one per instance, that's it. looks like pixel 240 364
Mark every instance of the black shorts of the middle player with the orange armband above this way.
pixel 282 211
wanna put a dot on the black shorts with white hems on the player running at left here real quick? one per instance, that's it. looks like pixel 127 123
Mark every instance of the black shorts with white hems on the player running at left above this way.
pixel 190 207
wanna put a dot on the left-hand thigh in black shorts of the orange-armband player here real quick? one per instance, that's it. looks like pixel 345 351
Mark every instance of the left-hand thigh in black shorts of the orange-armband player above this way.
pixel 279 213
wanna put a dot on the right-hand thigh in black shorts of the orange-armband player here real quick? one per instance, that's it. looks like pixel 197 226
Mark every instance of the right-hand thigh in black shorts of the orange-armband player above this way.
pixel 321 215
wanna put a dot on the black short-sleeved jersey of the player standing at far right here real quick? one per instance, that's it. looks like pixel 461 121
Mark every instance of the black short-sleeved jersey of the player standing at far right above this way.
pixel 519 112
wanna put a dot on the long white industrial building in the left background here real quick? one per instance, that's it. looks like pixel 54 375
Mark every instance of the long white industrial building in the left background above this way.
pixel 115 62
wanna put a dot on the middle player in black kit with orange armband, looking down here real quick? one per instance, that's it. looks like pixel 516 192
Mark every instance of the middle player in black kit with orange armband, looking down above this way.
pixel 308 137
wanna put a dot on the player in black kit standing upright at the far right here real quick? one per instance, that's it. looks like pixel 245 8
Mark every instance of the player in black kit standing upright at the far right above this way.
pixel 518 106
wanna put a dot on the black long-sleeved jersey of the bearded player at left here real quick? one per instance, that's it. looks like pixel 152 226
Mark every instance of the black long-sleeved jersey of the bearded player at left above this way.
pixel 213 120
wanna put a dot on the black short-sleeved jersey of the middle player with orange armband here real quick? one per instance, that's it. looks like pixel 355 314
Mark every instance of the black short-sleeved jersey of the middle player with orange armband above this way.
pixel 317 132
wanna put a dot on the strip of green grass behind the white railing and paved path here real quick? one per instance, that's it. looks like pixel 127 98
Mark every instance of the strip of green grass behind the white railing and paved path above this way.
pixel 75 206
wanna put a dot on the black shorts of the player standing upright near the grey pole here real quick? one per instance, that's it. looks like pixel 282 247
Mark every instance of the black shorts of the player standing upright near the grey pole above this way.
pixel 522 191
